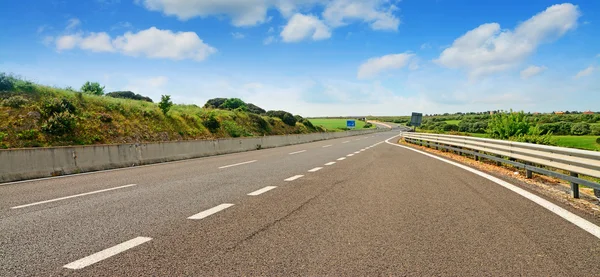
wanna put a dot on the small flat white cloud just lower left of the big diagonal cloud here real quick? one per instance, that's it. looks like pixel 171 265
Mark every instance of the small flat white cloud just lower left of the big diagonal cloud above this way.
pixel 374 66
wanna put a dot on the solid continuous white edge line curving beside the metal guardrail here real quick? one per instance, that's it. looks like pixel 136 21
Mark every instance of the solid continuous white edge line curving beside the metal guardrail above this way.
pixel 568 216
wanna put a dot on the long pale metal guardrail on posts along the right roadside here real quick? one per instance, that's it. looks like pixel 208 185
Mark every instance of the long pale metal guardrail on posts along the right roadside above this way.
pixel 542 159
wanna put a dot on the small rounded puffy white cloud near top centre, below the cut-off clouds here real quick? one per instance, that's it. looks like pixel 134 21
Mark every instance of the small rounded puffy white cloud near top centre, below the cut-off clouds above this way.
pixel 301 27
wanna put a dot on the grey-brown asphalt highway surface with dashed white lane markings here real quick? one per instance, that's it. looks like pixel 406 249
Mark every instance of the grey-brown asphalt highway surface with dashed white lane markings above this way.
pixel 383 210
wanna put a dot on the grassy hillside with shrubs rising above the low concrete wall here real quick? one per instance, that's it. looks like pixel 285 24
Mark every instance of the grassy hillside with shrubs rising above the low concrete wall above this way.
pixel 33 115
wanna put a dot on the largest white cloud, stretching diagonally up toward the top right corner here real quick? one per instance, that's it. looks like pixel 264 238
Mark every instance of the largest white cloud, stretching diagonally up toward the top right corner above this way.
pixel 488 49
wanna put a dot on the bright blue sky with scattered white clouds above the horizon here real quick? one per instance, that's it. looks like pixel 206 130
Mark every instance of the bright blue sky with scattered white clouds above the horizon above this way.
pixel 317 57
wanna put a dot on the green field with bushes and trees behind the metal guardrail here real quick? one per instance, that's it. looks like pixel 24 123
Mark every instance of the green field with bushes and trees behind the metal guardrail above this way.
pixel 569 129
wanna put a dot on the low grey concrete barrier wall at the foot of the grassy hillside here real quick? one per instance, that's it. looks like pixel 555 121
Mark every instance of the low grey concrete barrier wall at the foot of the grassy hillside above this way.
pixel 31 163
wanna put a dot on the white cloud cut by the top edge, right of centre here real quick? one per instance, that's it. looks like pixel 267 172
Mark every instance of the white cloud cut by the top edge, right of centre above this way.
pixel 378 13
